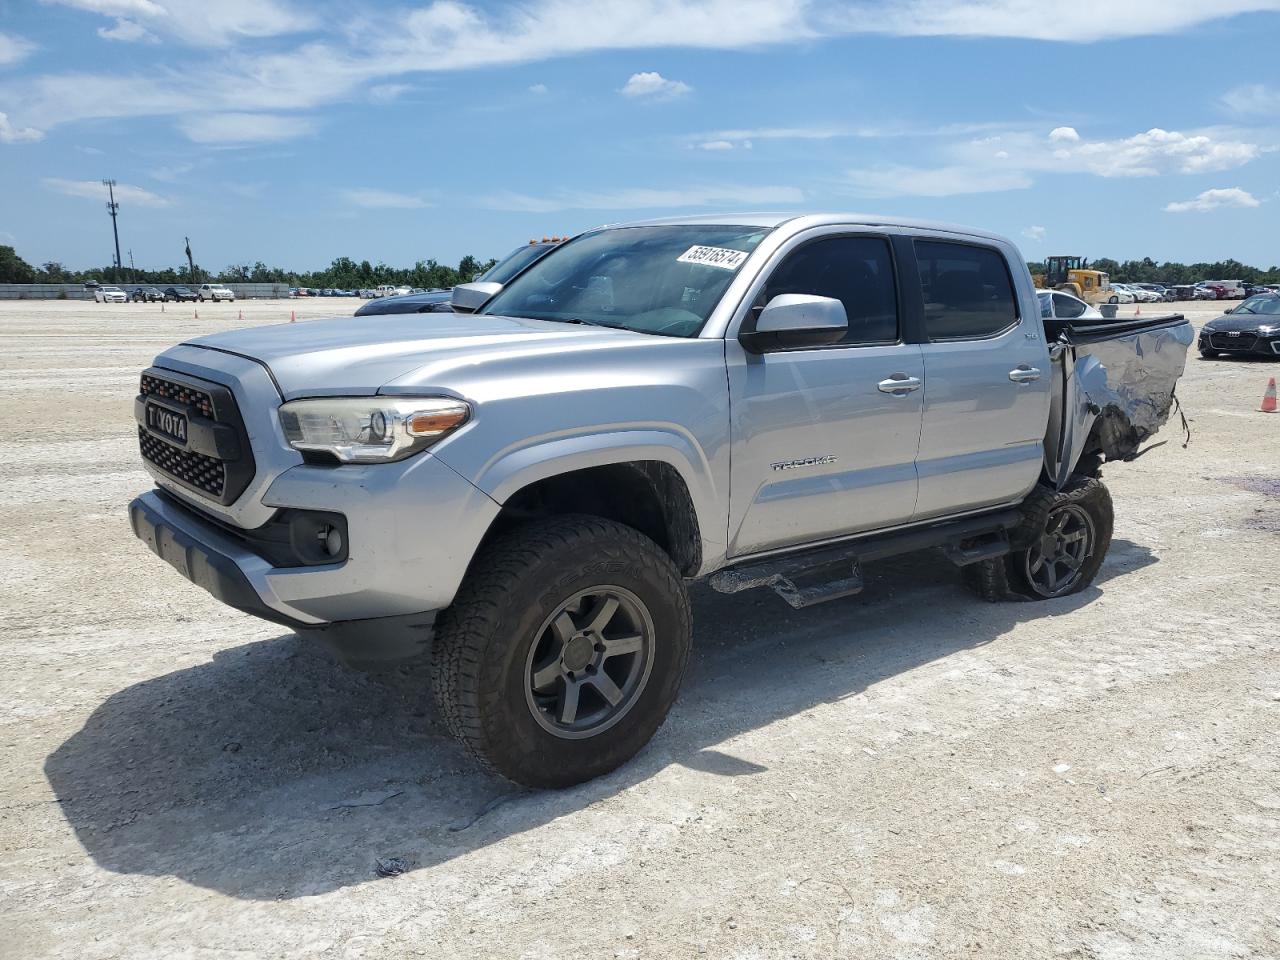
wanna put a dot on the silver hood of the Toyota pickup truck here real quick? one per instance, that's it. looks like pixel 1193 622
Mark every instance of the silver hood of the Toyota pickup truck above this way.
pixel 358 358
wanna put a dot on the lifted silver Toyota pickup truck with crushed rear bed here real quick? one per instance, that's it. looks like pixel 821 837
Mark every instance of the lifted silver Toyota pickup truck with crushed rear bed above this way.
pixel 523 488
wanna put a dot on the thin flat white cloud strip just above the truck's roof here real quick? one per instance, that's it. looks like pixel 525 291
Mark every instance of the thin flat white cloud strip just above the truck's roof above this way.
pixel 647 199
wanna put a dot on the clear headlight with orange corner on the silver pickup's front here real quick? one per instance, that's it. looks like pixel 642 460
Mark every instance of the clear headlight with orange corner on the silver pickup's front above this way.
pixel 371 429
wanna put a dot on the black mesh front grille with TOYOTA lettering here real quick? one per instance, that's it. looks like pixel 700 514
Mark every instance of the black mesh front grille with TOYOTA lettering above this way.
pixel 211 456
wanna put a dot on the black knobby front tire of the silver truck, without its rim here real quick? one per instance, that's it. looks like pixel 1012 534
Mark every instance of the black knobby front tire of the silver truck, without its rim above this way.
pixel 483 644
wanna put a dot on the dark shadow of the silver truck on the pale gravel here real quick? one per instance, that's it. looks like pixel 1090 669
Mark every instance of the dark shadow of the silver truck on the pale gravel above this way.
pixel 272 772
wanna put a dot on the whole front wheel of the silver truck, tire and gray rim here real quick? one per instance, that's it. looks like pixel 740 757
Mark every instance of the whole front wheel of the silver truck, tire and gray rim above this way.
pixel 564 651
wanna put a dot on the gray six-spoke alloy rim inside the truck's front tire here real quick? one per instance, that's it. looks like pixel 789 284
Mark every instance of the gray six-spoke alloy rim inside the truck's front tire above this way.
pixel 591 662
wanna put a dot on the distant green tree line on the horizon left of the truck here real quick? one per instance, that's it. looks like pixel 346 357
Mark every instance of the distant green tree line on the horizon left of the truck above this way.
pixel 344 273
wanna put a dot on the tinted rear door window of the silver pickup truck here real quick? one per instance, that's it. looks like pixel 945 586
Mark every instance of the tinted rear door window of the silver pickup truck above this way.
pixel 968 291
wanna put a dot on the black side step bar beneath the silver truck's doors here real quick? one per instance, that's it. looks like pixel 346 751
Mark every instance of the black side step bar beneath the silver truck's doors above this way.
pixel 829 573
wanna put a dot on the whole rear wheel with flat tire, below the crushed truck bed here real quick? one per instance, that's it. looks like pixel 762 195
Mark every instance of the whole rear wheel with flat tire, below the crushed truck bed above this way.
pixel 1058 550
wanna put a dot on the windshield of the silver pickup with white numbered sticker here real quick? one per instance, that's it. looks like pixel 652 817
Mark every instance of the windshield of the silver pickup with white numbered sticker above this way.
pixel 650 280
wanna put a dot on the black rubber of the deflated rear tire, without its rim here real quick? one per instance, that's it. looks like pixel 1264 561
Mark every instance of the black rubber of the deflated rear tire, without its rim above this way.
pixel 1007 578
